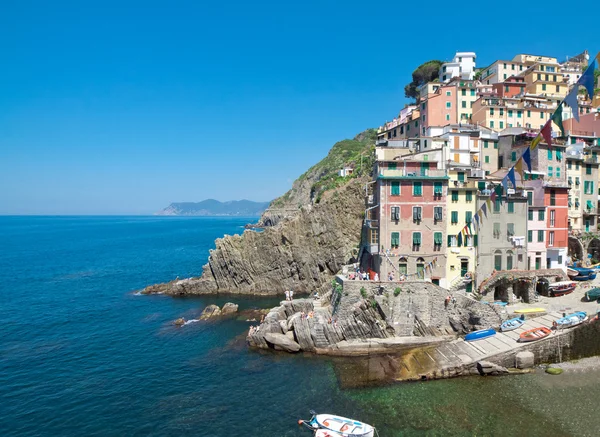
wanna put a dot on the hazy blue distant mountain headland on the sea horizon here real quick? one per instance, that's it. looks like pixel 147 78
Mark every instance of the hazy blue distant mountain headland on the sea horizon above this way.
pixel 214 207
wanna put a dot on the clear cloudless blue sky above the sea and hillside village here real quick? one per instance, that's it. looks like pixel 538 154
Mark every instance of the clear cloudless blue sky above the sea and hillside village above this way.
pixel 122 107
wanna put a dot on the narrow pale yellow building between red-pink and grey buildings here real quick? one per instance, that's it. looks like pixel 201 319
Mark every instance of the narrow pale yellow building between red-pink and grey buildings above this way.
pixel 461 207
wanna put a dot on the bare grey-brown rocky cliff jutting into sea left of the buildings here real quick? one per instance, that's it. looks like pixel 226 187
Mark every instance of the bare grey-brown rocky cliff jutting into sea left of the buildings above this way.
pixel 302 253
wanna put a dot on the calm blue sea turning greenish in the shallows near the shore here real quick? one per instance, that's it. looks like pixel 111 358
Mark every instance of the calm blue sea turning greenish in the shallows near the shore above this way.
pixel 80 354
